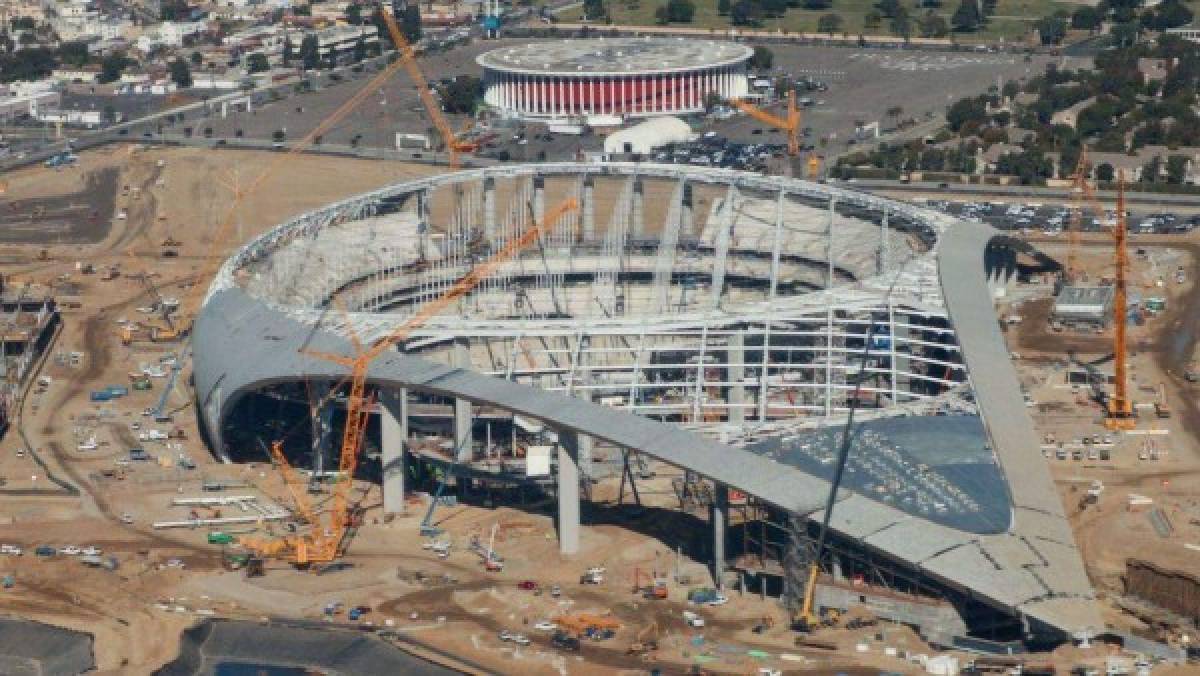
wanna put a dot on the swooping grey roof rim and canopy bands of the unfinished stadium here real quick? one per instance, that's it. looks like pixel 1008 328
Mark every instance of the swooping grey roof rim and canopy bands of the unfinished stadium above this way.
pixel 1027 564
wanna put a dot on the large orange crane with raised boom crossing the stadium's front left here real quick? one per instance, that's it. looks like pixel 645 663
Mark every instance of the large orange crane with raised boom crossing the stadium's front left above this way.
pixel 323 543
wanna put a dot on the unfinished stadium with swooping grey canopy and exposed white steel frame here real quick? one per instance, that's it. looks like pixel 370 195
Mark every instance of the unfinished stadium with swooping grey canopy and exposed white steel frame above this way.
pixel 707 319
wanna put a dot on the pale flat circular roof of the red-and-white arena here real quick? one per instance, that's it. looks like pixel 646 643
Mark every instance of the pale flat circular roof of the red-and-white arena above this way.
pixel 611 57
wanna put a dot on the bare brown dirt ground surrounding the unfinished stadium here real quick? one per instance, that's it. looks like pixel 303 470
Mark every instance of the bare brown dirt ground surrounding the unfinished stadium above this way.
pixel 170 578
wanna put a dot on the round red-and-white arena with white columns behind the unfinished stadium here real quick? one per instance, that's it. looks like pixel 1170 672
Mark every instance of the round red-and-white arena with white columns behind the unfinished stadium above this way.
pixel 631 77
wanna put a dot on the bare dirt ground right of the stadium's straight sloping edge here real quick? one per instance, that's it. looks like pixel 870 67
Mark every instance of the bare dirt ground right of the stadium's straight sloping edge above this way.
pixel 1156 465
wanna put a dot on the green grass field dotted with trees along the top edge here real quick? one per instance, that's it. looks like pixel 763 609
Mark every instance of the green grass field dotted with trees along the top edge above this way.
pixel 1013 20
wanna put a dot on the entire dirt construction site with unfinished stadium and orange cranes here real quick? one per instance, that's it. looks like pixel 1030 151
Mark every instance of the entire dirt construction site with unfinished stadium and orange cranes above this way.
pixel 584 418
